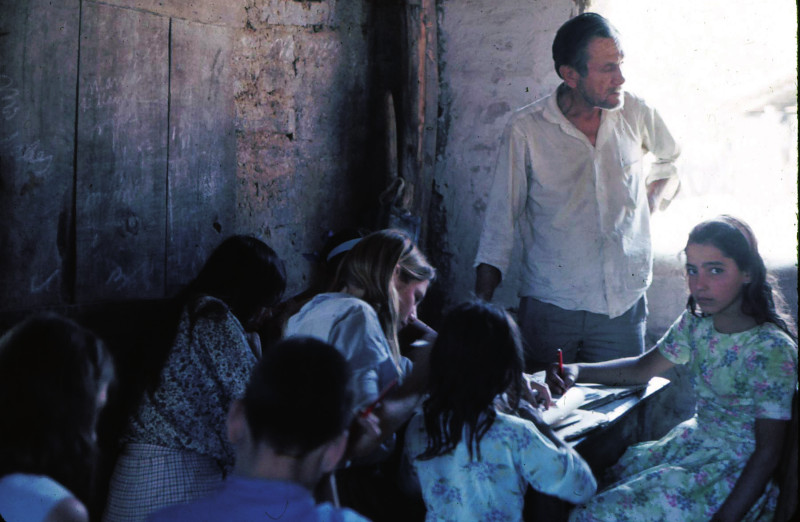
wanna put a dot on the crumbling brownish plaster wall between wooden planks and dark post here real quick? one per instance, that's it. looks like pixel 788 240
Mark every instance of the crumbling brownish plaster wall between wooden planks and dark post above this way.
pixel 301 87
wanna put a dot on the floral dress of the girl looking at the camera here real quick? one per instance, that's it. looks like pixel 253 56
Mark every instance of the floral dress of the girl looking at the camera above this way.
pixel 689 473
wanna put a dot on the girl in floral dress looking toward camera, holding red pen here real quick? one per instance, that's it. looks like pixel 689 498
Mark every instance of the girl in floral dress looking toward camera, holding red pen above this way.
pixel 743 358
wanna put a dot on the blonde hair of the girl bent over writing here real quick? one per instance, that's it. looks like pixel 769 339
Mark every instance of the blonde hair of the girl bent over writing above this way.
pixel 370 265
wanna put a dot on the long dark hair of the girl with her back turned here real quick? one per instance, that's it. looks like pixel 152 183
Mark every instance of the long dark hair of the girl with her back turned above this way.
pixel 476 357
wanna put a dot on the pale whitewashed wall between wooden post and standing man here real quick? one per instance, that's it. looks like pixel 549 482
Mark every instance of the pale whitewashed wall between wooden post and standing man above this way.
pixel 495 56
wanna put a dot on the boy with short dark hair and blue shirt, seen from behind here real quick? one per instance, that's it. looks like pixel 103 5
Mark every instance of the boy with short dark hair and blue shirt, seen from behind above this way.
pixel 289 430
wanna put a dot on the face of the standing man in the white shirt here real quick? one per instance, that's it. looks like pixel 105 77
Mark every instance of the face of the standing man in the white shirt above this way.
pixel 602 85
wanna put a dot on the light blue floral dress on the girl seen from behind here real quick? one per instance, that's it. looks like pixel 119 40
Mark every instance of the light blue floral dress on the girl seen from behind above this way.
pixel 513 454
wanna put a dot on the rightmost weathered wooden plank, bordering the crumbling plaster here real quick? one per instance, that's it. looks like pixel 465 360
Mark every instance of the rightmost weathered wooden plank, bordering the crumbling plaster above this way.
pixel 202 148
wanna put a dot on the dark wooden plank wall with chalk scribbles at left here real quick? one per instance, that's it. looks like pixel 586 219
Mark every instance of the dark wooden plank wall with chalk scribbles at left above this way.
pixel 117 151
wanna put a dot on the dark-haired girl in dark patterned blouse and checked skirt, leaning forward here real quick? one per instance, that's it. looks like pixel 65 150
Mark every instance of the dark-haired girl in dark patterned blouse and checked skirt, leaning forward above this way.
pixel 176 447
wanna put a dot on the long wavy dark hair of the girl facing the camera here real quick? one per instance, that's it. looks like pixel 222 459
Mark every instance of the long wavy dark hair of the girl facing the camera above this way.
pixel 734 238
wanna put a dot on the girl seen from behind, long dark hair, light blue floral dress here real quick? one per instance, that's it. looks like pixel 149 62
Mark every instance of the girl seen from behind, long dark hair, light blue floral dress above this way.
pixel 474 462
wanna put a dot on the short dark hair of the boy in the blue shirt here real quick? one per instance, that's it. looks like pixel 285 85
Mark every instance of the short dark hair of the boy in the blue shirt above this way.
pixel 299 396
